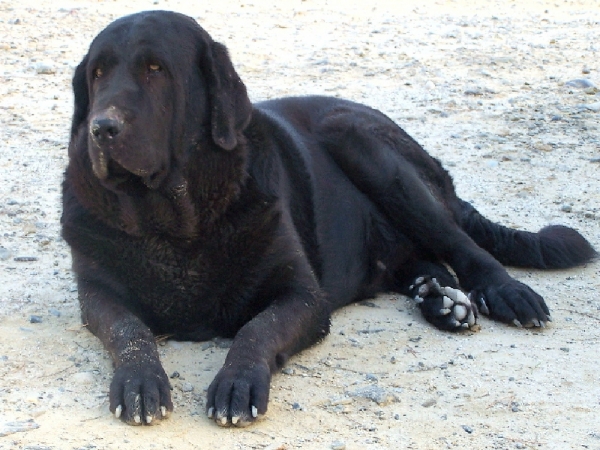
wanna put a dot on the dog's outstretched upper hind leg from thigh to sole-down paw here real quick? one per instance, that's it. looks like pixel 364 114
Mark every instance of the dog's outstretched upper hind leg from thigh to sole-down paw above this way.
pixel 393 171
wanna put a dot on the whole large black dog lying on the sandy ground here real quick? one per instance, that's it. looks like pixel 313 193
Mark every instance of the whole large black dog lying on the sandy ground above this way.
pixel 193 213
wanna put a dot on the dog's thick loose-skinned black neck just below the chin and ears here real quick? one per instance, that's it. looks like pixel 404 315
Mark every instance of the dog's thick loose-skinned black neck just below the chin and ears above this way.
pixel 184 207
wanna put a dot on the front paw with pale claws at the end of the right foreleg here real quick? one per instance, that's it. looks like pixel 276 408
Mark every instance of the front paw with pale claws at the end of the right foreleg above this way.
pixel 239 394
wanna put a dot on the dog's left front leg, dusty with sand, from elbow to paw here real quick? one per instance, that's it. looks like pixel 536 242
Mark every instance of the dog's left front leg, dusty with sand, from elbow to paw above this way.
pixel 140 389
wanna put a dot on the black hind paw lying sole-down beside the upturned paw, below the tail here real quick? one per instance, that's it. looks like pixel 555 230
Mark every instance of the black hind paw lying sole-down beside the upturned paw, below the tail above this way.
pixel 512 302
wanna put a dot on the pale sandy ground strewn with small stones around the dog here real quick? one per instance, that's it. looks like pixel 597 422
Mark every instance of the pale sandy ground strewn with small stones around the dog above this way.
pixel 489 87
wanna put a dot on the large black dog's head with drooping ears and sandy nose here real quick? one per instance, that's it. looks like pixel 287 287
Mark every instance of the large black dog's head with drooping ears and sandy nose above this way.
pixel 149 86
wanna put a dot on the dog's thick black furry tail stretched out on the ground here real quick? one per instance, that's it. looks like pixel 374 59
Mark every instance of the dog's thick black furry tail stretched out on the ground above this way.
pixel 553 247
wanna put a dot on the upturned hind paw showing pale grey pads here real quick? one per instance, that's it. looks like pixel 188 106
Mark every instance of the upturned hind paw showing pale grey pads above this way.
pixel 445 307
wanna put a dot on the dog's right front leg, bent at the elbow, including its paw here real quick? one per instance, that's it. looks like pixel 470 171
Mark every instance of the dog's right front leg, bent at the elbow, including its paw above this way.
pixel 293 322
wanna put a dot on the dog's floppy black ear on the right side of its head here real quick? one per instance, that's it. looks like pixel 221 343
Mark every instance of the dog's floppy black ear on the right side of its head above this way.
pixel 230 107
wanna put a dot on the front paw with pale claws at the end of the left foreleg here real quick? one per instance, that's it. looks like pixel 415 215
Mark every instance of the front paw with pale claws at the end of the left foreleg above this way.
pixel 140 393
